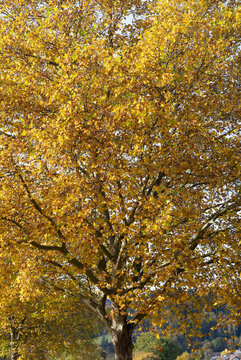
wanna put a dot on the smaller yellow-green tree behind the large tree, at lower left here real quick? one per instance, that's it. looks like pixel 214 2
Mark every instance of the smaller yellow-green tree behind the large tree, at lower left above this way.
pixel 34 324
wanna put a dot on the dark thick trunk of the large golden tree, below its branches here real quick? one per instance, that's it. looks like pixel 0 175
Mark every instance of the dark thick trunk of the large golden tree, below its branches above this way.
pixel 121 338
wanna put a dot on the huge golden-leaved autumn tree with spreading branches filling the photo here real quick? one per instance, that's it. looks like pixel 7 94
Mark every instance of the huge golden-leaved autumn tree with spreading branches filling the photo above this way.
pixel 120 153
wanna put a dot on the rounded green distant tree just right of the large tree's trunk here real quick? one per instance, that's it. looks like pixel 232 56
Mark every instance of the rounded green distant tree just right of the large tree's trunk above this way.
pixel 165 348
